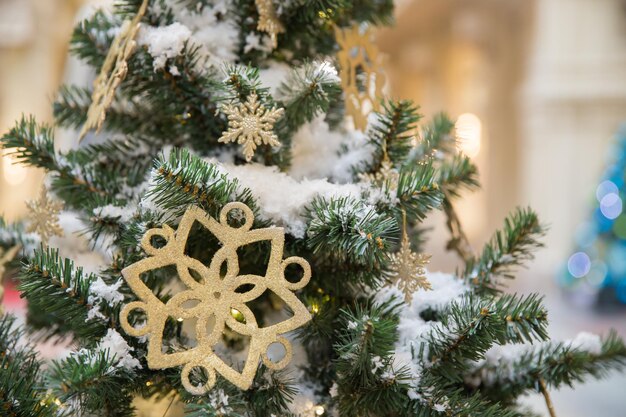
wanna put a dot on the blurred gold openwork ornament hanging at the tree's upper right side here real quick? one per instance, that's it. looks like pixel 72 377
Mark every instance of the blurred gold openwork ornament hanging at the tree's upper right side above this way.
pixel 362 77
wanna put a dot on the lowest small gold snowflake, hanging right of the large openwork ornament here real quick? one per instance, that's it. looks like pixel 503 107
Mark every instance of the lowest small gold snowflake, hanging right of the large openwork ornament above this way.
pixel 408 268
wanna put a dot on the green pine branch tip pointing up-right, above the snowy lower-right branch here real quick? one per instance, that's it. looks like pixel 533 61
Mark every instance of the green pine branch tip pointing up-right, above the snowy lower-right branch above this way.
pixel 507 249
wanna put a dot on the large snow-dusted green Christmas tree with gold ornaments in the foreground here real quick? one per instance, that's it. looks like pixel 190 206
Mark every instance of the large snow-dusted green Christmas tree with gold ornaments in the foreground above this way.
pixel 240 231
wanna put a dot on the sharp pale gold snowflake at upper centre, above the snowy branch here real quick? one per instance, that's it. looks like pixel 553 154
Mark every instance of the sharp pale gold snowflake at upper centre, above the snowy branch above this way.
pixel 251 124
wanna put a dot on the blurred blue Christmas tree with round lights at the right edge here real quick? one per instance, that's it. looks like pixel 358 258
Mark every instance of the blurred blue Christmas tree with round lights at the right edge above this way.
pixel 596 270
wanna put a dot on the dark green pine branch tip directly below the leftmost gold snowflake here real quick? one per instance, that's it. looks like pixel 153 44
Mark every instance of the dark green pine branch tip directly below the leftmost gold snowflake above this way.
pixel 58 296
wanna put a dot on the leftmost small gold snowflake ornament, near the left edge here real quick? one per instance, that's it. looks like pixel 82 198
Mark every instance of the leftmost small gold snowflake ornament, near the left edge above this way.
pixel 44 216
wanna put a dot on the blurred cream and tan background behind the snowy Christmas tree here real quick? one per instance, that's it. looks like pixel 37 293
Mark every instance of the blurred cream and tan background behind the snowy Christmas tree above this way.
pixel 538 90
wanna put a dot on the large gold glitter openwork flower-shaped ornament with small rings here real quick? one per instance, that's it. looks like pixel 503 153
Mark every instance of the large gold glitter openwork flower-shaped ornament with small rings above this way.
pixel 217 297
